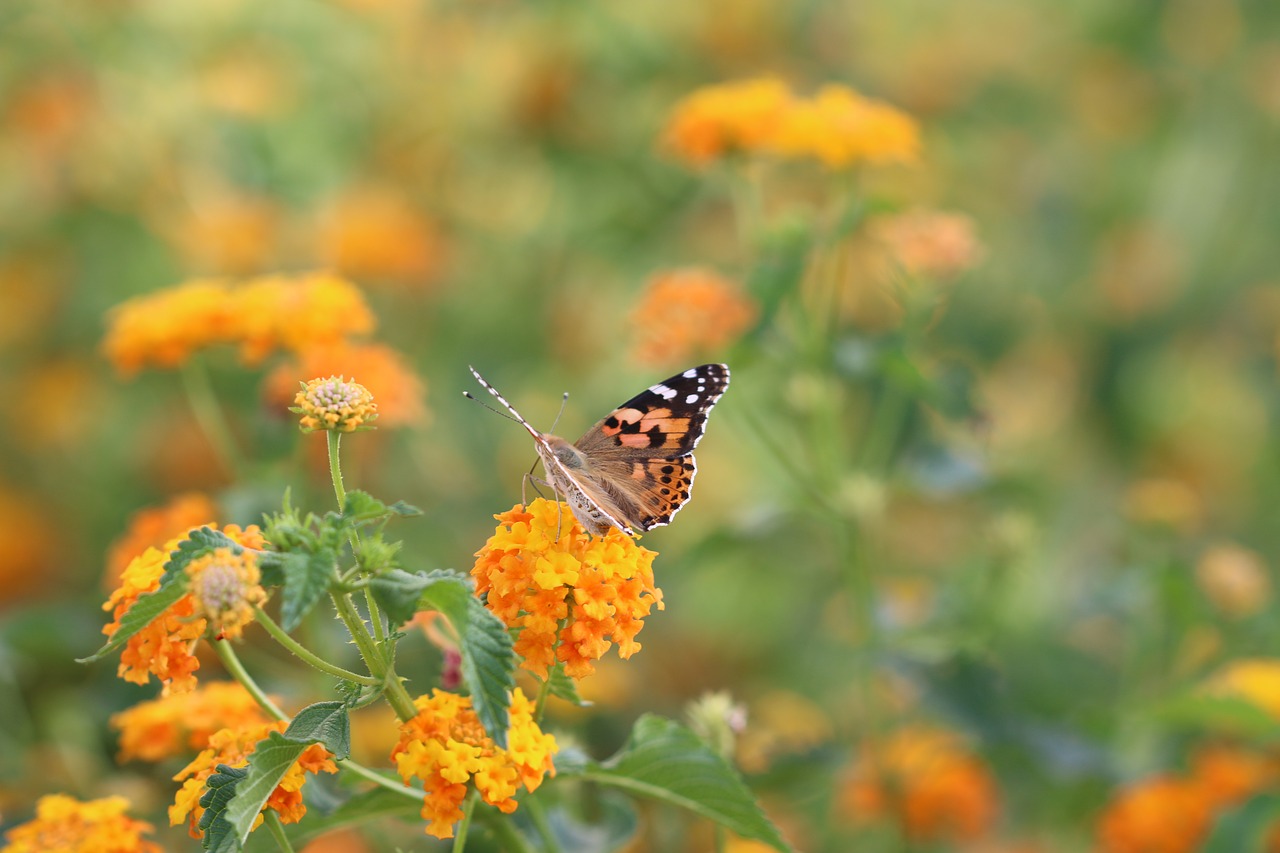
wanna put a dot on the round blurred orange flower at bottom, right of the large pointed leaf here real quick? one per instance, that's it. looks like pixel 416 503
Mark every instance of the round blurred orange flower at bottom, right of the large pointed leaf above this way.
pixel 927 782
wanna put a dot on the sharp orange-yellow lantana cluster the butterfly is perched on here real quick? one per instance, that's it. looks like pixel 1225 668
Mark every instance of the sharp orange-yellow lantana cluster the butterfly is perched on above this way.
pixel 570 595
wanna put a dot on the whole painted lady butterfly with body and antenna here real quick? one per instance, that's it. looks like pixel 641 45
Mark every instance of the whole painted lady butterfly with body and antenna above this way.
pixel 636 468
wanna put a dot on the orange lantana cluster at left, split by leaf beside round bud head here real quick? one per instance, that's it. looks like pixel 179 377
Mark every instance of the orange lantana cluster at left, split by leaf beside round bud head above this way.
pixel 166 647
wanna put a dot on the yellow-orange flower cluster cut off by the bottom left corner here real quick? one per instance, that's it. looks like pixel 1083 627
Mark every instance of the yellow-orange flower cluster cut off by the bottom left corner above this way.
pixel 66 825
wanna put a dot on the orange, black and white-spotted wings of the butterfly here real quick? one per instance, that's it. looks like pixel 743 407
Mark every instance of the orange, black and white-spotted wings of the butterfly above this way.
pixel 639 458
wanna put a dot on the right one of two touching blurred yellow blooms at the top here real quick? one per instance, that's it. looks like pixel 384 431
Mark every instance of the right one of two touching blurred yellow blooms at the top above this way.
pixel 842 129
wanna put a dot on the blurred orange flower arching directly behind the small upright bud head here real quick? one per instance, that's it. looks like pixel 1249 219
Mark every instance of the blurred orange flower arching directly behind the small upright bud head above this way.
pixel 386 373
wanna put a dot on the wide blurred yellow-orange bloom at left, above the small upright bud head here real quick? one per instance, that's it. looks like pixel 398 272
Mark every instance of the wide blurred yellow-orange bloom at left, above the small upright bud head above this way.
pixel 259 316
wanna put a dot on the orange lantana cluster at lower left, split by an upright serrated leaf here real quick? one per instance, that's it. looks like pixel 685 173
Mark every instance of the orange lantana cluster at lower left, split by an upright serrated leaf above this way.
pixel 234 747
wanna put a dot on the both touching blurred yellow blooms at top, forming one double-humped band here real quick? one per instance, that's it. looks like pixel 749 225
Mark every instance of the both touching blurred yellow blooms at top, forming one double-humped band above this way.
pixel 838 126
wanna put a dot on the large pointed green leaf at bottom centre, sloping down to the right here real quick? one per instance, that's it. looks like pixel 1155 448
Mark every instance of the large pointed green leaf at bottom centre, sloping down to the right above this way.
pixel 670 764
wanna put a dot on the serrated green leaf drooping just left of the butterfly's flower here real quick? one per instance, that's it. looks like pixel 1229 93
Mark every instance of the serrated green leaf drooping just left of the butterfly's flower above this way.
pixel 488 663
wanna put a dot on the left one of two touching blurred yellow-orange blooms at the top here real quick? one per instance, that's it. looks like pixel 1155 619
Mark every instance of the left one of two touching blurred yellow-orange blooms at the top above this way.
pixel 723 120
